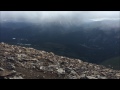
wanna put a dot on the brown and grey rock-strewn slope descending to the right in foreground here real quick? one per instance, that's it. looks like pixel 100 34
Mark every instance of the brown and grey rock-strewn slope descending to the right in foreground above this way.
pixel 18 62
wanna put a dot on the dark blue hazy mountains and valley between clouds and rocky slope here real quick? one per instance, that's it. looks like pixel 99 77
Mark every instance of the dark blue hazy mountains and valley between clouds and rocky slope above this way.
pixel 94 42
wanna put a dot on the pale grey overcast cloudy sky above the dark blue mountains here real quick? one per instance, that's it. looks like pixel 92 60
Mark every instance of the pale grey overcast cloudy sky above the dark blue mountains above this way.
pixel 42 16
